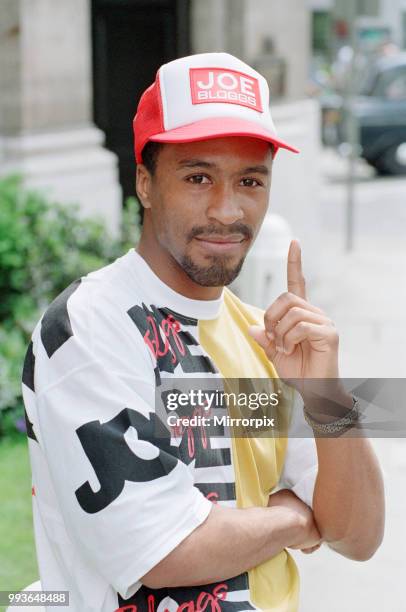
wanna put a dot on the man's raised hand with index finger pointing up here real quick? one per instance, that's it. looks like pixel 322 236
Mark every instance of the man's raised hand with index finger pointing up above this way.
pixel 299 339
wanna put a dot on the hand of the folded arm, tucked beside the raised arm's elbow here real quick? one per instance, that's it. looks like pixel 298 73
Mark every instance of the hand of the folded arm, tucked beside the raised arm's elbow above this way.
pixel 310 539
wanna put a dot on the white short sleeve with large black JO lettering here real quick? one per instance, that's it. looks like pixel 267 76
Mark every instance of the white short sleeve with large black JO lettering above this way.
pixel 126 498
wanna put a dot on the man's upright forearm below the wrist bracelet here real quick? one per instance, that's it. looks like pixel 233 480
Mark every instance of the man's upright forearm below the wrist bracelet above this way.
pixel 348 502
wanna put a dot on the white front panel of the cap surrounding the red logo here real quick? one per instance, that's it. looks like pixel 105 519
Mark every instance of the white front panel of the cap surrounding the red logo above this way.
pixel 178 109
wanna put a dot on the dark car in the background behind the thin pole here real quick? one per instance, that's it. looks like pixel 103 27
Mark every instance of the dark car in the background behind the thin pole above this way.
pixel 380 112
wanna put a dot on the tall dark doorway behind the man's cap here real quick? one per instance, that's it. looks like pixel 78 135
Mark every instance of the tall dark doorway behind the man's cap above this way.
pixel 131 39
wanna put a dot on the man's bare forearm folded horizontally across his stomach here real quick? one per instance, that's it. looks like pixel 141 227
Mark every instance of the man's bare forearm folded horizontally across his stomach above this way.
pixel 228 543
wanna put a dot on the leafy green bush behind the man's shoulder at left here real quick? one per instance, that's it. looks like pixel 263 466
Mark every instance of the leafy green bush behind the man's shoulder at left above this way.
pixel 44 246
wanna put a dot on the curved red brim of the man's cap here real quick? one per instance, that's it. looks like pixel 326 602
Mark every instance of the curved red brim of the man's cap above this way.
pixel 220 127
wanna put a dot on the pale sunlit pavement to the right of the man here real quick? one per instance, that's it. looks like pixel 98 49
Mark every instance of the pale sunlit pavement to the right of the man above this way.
pixel 364 292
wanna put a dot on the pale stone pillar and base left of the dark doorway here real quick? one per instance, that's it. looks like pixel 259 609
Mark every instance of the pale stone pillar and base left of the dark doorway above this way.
pixel 46 132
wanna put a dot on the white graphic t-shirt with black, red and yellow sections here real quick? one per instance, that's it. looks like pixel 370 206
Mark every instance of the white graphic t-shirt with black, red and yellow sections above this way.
pixel 110 500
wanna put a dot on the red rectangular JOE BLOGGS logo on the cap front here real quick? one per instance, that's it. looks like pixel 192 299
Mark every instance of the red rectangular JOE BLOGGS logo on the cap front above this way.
pixel 221 85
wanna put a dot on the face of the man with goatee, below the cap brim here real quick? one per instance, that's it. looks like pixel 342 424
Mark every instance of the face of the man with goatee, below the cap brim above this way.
pixel 205 204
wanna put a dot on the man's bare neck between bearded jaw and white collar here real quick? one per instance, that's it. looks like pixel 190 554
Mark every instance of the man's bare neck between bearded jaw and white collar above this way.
pixel 171 273
